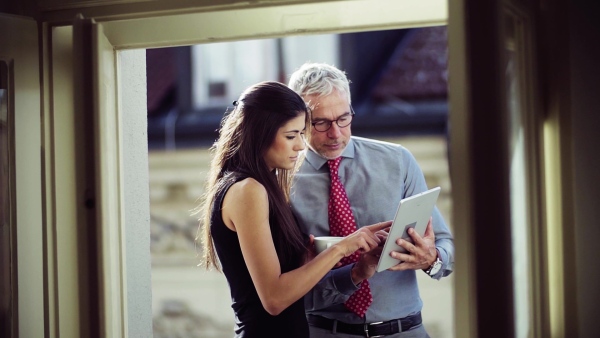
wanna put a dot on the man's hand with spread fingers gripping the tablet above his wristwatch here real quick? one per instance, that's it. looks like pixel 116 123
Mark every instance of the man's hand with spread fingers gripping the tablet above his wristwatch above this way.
pixel 420 255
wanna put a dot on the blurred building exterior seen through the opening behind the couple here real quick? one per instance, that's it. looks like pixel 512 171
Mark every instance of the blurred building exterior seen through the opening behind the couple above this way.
pixel 399 93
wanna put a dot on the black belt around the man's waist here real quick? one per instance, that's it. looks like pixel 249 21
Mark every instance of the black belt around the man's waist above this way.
pixel 366 330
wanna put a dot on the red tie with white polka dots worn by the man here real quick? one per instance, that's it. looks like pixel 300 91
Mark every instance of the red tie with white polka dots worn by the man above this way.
pixel 342 223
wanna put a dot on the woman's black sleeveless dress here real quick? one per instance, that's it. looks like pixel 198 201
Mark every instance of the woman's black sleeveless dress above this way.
pixel 251 319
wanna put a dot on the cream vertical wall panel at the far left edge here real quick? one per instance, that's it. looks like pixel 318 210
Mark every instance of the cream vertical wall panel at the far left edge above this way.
pixel 21 53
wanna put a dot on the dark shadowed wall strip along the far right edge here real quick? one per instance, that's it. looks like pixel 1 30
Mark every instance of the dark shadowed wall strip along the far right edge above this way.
pixel 585 74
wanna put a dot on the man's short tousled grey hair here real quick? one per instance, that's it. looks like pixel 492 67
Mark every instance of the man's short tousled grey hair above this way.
pixel 319 79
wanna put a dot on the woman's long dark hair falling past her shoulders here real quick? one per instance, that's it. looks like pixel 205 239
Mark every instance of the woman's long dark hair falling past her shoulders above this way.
pixel 245 135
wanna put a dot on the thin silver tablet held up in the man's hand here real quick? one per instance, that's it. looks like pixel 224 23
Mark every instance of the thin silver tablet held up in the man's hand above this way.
pixel 413 212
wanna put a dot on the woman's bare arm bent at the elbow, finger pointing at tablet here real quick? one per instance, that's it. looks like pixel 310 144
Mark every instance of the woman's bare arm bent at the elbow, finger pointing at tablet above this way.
pixel 246 211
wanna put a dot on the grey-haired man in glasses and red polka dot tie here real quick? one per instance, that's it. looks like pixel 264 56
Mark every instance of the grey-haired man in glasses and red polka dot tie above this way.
pixel 375 177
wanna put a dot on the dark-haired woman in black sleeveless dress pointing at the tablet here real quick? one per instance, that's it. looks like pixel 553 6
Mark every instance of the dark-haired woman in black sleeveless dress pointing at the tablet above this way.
pixel 249 223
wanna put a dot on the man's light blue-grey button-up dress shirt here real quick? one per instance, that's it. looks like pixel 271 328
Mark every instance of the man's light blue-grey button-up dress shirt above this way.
pixel 376 176
